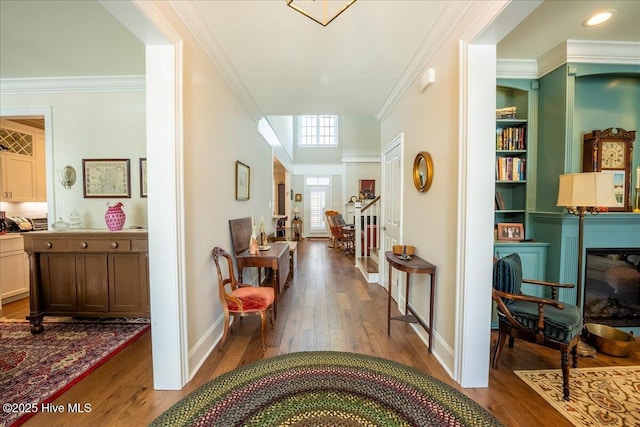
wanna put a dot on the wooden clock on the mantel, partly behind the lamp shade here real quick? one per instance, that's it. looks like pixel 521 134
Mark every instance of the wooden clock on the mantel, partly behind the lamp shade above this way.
pixel 610 150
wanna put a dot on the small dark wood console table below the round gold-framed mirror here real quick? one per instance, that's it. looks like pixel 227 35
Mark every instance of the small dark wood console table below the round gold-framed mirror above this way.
pixel 418 266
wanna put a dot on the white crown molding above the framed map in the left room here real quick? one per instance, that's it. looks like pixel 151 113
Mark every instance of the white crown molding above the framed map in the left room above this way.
pixel 41 85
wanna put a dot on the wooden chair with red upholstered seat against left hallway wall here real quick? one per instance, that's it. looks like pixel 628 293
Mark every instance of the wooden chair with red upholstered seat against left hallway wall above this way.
pixel 243 300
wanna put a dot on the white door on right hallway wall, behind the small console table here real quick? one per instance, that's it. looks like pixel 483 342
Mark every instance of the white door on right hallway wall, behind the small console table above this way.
pixel 391 208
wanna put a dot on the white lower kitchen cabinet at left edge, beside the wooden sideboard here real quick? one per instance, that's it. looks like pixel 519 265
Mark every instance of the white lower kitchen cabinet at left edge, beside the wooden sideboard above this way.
pixel 14 268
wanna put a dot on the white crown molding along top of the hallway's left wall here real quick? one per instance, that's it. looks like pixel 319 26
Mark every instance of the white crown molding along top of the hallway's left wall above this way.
pixel 189 13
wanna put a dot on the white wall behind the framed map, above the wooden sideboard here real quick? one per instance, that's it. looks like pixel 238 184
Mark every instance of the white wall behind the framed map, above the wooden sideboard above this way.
pixel 89 125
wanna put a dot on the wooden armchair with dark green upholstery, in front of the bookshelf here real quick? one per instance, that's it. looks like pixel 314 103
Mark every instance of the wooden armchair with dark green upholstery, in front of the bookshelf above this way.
pixel 542 321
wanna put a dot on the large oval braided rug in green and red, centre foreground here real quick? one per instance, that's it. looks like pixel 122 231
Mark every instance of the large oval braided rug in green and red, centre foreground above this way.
pixel 326 389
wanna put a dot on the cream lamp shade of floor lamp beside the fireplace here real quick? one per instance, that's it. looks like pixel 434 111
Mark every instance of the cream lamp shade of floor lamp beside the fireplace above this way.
pixel 590 189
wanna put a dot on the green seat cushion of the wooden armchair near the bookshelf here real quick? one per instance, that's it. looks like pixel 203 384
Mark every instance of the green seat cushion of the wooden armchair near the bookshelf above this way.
pixel 559 325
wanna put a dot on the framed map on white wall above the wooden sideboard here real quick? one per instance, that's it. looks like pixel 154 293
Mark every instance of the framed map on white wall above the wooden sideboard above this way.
pixel 106 178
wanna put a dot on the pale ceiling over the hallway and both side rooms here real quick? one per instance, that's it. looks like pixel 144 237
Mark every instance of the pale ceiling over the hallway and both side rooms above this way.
pixel 287 63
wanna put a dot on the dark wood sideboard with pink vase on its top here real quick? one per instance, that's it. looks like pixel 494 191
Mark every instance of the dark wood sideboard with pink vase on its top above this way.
pixel 88 273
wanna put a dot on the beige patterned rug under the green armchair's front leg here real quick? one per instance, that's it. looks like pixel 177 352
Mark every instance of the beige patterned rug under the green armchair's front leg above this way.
pixel 599 396
